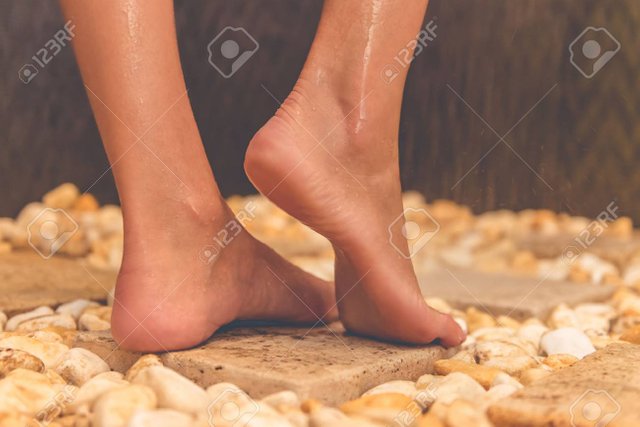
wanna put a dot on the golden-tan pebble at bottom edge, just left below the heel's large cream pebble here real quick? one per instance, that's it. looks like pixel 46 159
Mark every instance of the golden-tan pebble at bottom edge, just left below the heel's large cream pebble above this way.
pixel 115 407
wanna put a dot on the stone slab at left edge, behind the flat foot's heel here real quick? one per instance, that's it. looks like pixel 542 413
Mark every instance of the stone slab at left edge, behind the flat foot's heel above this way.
pixel 28 281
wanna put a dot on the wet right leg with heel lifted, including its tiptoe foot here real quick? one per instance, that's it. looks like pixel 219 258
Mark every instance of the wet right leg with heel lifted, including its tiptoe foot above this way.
pixel 330 157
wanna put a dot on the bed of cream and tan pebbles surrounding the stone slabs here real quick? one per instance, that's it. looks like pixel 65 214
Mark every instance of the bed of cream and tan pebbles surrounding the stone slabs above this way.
pixel 44 380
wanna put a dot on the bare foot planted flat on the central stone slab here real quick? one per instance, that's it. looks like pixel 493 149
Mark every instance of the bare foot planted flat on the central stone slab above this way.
pixel 171 295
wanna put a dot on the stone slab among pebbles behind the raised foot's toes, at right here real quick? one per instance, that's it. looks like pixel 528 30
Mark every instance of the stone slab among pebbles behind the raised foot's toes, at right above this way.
pixel 519 297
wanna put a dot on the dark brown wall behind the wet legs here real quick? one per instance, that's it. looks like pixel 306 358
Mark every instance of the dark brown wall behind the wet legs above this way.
pixel 501 56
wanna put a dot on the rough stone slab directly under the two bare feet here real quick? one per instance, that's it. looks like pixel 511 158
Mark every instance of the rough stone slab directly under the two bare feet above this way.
pixel 328 365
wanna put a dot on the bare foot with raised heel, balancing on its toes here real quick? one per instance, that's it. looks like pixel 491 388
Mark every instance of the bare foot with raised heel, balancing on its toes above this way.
pixel 341 178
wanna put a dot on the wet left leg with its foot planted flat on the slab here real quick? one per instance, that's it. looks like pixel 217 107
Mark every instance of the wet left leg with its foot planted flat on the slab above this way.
pixel 167 297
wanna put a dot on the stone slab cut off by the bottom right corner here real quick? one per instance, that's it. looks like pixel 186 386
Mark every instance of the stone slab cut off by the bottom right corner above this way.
pixel 602 389
